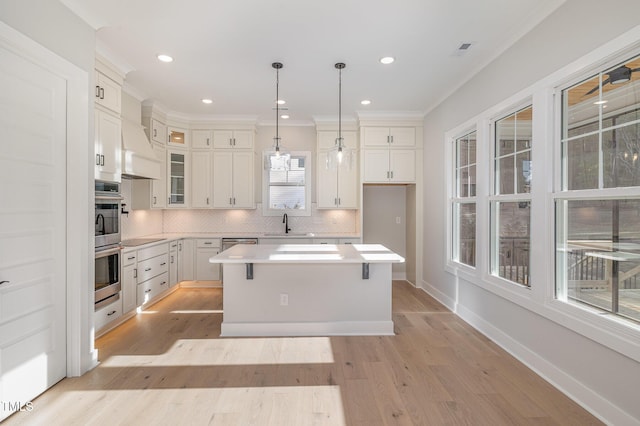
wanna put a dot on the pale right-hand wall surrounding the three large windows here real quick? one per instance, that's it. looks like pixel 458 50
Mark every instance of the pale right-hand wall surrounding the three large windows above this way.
pixel 603 380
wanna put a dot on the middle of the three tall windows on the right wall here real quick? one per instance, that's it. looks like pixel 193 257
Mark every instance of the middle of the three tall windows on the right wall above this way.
pixel 511 200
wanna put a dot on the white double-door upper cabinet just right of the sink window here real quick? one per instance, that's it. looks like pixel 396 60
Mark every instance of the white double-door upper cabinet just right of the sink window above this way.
pixel 337 188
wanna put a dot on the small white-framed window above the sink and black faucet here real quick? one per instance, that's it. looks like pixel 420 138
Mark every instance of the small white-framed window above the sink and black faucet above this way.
pixel 287 189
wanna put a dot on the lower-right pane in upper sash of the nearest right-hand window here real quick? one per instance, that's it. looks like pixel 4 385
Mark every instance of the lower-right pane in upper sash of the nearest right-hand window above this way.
pixel 621 162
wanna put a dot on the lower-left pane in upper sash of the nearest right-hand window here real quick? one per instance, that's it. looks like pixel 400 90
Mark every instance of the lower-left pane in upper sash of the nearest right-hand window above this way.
pixel 582 162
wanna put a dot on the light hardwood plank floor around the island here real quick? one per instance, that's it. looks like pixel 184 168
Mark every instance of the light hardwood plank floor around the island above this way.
pixel 168 366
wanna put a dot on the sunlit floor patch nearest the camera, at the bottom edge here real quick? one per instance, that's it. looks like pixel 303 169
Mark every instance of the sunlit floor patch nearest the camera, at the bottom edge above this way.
pixel 288 405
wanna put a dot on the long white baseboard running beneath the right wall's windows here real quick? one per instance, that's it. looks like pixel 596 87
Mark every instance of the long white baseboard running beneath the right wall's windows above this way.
pixel 590 400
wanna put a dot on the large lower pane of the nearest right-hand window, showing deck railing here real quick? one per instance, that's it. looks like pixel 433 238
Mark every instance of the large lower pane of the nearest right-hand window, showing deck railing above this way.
pixel 602 254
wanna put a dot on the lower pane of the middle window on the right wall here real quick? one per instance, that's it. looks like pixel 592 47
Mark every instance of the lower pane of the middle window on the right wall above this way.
pixel 513 241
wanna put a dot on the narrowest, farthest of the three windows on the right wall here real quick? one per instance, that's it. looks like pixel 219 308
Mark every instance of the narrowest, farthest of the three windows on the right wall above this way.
pixel 464 200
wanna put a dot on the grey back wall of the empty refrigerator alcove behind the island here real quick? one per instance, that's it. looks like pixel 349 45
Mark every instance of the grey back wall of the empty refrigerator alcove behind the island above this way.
pixel 382 205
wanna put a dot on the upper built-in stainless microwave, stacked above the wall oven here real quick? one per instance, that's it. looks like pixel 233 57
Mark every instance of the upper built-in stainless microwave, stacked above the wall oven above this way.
pixel 108 205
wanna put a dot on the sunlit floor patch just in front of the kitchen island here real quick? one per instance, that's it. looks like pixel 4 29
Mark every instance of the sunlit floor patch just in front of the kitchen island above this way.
pixel 245 351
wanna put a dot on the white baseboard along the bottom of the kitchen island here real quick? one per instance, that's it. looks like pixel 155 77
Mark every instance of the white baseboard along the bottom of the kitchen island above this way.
pixel 342 328
